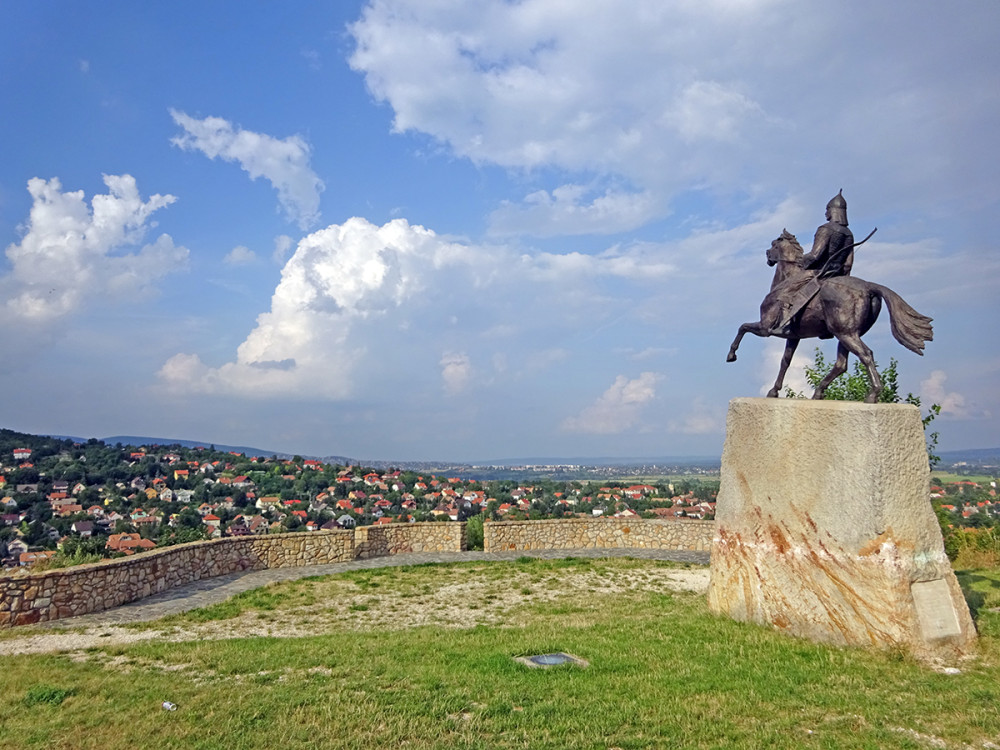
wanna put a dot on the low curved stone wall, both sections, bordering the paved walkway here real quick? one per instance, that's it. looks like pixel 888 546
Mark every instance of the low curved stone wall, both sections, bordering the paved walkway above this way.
pixel 66 592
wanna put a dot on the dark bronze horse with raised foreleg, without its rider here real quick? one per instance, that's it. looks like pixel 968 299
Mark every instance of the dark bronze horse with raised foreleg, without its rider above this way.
pixel 845 308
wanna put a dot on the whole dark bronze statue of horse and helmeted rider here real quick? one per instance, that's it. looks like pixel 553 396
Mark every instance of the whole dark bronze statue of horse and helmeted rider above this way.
pixel 813 295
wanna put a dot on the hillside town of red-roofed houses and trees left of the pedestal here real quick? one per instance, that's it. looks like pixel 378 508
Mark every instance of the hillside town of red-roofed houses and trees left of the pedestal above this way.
pixel 92 500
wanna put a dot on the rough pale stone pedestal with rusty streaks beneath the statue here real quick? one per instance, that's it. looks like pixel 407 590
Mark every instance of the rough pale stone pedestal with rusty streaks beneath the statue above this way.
pixel 824 528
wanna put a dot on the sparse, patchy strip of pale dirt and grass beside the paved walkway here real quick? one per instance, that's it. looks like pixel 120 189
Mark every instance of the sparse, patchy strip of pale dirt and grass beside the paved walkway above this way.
pixel 391 599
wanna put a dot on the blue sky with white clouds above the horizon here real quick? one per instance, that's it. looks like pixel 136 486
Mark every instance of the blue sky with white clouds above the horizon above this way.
pixel 452 230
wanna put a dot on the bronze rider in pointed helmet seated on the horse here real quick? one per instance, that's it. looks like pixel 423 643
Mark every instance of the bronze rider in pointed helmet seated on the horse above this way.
pixel 832 255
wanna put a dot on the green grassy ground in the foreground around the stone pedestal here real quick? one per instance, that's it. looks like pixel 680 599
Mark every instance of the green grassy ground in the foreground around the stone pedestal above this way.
pixel 663 672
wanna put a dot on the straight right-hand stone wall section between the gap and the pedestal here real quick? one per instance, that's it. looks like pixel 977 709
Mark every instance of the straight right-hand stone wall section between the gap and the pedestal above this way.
pixel 587 533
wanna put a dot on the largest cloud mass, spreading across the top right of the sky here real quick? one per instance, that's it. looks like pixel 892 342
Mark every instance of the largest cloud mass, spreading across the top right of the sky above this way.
pixel 626 94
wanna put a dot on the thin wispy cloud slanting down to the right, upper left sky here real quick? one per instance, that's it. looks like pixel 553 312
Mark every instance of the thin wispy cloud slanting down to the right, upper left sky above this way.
pixel 283 162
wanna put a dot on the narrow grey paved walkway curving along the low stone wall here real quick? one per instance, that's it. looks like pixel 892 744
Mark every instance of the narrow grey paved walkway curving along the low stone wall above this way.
pixel 218 589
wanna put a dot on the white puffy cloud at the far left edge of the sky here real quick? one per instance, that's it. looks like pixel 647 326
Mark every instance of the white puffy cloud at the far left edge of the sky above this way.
pixel 71 253
